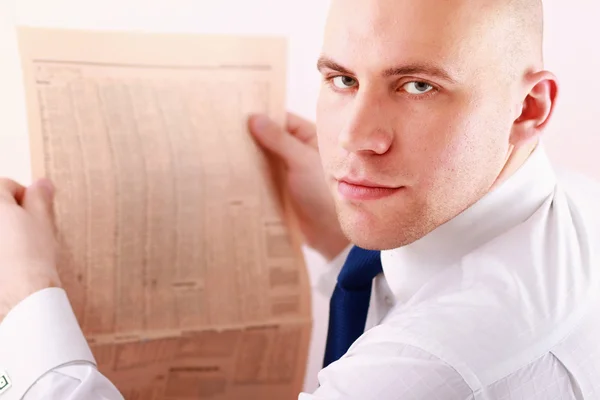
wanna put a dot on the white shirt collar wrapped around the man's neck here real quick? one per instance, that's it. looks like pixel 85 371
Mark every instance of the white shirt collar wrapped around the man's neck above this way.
pixel 407 268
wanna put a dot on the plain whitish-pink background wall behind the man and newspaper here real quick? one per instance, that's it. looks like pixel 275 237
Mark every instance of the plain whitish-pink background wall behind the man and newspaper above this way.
pixel 572 52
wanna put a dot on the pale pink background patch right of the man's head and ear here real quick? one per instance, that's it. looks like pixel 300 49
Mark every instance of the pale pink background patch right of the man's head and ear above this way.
pixel 573 53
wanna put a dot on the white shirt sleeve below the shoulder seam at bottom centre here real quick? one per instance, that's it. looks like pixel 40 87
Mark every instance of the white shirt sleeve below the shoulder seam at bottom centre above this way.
pixel 389 371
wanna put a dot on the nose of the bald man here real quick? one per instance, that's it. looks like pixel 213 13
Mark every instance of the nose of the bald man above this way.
pixel 368 129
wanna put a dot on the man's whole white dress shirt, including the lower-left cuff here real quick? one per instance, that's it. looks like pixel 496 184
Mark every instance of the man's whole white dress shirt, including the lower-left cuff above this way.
pixel 502 302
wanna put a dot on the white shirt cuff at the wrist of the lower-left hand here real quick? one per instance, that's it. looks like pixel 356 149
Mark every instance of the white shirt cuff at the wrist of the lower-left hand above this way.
pixel 40 334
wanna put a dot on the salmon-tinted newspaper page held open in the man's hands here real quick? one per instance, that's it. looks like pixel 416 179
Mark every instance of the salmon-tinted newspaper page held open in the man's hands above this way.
pixel 178 250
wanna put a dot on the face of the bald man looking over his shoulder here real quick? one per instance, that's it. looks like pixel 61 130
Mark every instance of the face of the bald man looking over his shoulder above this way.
pixel 414 115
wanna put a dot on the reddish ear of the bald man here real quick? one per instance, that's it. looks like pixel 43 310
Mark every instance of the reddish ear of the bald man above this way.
pixel 537 107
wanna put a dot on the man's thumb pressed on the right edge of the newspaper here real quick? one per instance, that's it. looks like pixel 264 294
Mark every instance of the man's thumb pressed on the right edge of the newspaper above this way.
pixel 274 138
